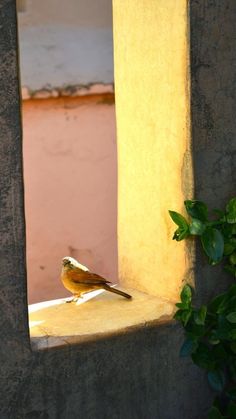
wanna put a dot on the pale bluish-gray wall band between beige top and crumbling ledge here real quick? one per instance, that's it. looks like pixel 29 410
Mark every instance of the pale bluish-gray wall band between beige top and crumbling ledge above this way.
pixel 47 54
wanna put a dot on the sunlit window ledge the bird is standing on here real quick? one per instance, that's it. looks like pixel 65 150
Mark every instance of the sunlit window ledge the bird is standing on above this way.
pixel 54 324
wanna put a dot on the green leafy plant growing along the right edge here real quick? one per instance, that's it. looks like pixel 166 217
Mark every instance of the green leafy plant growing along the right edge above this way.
pixel 210 331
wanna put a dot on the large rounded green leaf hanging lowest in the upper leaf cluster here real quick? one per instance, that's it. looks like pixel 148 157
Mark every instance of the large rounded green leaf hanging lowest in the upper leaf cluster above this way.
pixel 213 244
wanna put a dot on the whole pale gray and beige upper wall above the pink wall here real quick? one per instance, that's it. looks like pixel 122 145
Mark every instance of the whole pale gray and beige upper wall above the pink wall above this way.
pixel 65 46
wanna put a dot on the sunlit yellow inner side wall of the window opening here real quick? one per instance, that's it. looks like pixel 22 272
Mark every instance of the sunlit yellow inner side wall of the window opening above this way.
pixel 152 107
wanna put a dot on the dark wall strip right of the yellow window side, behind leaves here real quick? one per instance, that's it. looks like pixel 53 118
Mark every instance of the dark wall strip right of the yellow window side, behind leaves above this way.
pixel 213 103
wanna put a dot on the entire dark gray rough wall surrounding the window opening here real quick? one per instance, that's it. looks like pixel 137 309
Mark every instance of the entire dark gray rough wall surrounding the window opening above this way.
pixel 138 374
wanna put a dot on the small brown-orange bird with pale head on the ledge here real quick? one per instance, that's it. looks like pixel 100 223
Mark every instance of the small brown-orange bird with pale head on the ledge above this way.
pixel 79 280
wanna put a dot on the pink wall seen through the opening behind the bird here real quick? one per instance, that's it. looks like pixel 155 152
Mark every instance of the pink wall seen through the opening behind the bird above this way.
pixel 70 189
